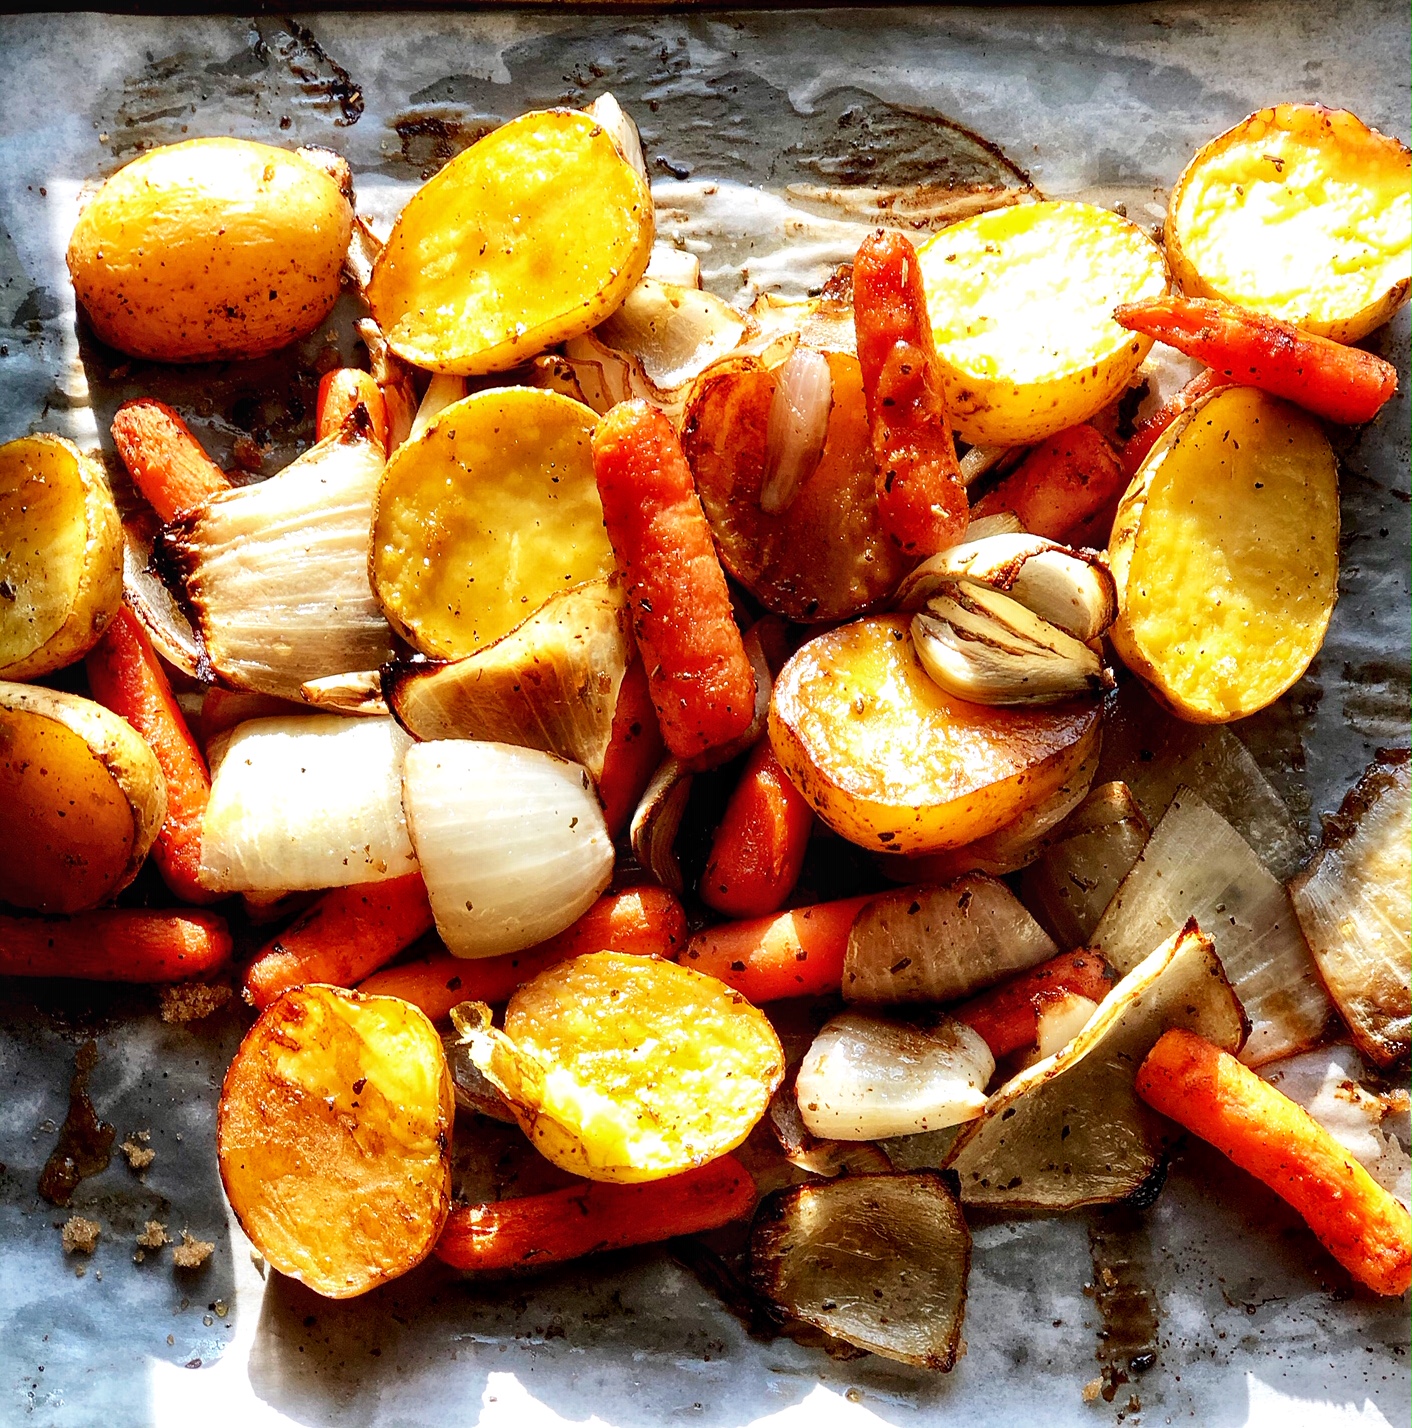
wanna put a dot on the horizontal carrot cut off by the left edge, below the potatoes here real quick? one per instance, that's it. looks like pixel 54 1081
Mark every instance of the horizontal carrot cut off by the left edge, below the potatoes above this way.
pixel 115 945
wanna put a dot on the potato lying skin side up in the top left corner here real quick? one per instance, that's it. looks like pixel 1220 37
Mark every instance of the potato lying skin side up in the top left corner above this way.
pixel 211 249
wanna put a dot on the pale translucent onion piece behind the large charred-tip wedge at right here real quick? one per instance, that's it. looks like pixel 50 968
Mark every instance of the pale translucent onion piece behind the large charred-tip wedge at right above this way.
pixel 1199 866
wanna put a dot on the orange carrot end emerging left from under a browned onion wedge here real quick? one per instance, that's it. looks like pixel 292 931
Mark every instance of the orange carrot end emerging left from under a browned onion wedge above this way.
pixel 790 955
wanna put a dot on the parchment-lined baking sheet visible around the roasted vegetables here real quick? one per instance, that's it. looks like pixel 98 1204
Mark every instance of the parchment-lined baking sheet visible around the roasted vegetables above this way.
pixel 760 128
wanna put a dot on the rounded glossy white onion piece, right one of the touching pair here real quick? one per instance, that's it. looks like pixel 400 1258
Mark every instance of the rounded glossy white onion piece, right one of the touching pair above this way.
pixel 512 842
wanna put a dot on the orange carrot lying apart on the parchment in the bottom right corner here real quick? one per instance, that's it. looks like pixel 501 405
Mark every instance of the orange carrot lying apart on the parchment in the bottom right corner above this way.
pixel 1211 1095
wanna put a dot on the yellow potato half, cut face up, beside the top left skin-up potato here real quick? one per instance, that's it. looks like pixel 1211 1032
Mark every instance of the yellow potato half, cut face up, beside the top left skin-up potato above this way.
pixel 529 238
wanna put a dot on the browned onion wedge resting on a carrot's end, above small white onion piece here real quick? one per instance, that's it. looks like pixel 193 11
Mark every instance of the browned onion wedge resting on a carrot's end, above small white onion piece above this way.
pixel 942 943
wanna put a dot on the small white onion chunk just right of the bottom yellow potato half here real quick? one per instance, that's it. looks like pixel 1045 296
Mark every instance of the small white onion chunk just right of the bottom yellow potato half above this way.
pixel 866 1079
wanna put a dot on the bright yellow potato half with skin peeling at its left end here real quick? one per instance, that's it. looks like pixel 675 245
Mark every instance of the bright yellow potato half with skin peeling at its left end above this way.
pixel 632 1069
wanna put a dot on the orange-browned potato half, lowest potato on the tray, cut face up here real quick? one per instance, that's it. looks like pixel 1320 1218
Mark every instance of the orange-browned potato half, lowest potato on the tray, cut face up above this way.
pixel 335 1137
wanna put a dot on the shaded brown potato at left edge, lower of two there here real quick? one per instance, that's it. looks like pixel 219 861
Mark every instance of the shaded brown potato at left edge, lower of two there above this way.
pixel 84 800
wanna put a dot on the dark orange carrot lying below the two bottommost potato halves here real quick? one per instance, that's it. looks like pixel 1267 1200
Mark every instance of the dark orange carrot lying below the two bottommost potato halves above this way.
pixel 593 1216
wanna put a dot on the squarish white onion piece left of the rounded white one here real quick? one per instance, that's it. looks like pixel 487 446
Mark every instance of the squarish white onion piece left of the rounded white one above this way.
pixel 306 802
